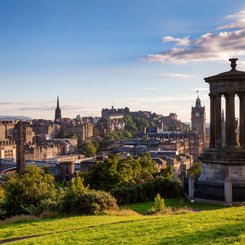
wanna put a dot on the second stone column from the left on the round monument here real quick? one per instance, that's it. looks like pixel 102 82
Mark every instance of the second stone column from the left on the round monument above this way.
pixel 218 121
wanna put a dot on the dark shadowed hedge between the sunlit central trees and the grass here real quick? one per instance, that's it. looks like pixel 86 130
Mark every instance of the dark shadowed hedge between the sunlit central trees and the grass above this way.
pixel 146 191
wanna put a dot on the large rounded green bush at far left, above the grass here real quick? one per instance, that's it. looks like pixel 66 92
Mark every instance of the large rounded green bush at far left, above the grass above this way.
pixel 30 192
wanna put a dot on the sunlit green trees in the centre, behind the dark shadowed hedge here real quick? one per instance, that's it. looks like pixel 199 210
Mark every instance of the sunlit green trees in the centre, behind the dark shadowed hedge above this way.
pixel 114 172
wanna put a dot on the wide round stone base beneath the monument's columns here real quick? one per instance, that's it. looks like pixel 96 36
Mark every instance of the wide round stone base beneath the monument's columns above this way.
pixel 222 175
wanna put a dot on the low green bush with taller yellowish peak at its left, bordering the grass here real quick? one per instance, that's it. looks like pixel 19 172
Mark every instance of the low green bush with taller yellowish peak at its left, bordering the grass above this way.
pixel 79 199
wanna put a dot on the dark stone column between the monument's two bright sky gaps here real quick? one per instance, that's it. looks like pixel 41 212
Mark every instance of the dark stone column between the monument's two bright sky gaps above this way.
pixel 230 119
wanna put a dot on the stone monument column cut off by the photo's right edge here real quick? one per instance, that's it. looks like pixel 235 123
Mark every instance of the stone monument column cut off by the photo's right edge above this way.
pixel 242 120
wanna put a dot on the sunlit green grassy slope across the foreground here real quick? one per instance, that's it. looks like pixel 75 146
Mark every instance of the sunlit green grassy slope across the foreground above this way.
pixel 219 226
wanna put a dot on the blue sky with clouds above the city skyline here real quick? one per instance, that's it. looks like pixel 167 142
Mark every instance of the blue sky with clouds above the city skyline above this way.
pixel 143 54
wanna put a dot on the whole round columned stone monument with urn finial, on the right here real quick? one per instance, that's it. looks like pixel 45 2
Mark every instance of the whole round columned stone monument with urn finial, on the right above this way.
pixel 223 163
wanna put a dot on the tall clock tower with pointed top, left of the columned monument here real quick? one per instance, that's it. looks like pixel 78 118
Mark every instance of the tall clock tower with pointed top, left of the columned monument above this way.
pixel 198 119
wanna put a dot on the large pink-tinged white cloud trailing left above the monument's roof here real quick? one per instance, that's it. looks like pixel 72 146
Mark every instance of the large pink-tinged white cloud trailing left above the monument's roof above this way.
pixel 214 45
